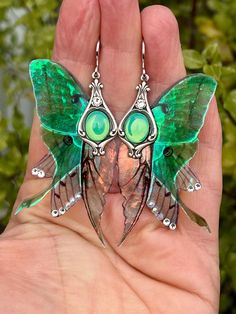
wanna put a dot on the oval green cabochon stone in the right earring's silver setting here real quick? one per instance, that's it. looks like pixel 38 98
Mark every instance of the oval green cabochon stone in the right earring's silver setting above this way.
pixel 136 127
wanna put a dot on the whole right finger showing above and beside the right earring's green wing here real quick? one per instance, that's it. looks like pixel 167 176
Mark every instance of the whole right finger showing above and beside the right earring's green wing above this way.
pixel 164 64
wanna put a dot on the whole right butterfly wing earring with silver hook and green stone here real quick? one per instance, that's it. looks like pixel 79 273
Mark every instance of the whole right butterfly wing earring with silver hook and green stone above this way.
pixel 169 131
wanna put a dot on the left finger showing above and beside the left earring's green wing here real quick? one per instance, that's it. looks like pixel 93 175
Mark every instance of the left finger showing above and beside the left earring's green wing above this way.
pixel 77 33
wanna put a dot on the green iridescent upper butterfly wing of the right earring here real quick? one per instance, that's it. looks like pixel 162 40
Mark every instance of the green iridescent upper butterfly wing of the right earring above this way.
pixel 179 114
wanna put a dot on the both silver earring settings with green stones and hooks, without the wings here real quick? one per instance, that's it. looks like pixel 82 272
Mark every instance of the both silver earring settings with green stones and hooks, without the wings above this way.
pixel 97 126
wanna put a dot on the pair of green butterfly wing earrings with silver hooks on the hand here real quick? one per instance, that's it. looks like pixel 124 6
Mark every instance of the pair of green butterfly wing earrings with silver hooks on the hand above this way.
pixel 161 139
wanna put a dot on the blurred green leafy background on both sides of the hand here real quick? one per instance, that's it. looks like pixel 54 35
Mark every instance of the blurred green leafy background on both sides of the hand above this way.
pixel 208 35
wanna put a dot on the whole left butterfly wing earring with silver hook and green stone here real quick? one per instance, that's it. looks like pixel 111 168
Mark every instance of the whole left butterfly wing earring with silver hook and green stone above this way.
pixel 75 129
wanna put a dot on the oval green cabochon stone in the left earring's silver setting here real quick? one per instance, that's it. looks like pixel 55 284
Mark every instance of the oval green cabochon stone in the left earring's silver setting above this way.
pixel 97 126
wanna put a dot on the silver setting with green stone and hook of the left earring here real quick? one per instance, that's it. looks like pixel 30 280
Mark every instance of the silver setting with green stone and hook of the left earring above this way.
pixel 97 126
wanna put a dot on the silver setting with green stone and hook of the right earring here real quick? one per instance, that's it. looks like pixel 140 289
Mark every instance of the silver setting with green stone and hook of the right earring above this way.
pixel 138 129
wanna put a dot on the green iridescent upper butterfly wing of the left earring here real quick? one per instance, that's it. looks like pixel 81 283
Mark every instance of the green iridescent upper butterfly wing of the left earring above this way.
pixel 60 104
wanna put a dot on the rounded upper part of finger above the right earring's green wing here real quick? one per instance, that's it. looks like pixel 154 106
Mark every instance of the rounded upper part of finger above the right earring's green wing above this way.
pixel 163 56
